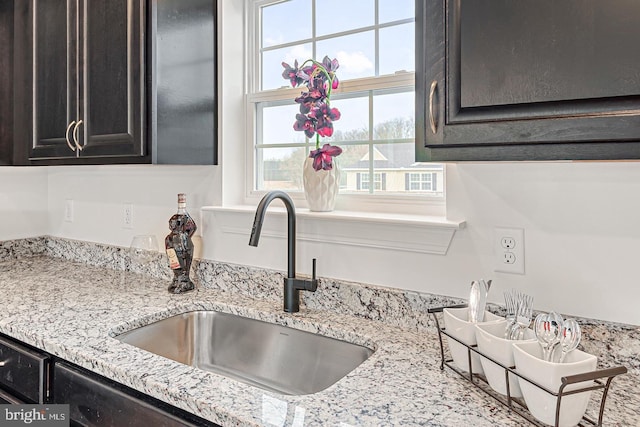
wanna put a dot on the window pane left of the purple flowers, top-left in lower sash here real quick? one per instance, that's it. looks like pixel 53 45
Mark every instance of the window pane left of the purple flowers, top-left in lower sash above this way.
pixel 277 125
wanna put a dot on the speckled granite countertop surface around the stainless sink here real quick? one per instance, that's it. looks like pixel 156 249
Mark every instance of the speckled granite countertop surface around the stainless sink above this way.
pixel 73 310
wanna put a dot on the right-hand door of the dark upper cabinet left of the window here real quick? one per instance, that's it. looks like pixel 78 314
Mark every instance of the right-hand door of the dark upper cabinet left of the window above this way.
pixel 112 82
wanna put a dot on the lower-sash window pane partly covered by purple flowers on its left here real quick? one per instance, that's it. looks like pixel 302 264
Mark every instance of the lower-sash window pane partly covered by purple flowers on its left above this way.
pixel 353 124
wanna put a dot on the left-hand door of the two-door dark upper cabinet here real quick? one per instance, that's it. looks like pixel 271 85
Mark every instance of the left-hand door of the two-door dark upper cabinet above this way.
pixel 55 89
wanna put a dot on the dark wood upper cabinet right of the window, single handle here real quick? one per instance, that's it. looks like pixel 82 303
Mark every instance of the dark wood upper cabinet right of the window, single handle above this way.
pixel 527 80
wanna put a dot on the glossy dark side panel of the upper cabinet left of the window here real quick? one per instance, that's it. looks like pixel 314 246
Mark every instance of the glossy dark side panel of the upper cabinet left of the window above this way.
pixel 183 84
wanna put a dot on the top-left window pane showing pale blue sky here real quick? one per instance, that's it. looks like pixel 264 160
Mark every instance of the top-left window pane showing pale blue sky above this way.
pixel 278 26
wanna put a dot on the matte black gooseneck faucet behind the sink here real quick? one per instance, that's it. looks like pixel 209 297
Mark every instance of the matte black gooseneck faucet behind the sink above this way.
pixel 292 285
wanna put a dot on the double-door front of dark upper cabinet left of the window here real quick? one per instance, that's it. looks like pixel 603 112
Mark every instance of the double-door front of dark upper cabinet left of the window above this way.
pixel 83 83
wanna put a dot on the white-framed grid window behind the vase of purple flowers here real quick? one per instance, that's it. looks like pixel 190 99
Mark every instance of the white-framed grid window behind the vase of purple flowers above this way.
pixel 373 41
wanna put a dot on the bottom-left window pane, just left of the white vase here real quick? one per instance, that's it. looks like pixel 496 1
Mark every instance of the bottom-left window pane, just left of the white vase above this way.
pixel 280 168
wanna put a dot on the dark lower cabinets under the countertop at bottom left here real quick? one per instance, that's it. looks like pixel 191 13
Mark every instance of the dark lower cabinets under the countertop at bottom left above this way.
pixel 31 376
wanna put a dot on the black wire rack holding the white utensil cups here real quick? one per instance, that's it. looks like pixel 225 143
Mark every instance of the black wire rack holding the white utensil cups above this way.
pixel 596 380
